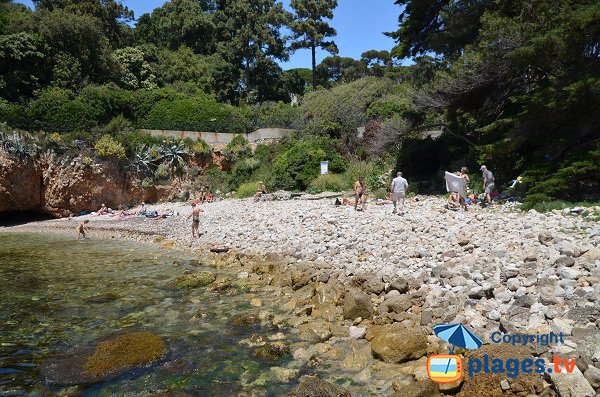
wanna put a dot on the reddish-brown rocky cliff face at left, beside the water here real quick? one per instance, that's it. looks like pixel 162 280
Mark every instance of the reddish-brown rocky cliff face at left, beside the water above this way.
pixel 66 187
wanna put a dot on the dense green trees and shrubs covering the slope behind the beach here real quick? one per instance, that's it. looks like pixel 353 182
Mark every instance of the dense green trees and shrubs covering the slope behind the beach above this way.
pixel 514 85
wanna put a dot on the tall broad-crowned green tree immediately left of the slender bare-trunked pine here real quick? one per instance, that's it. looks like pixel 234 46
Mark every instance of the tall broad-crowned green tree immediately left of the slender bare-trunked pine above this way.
pixel 250 39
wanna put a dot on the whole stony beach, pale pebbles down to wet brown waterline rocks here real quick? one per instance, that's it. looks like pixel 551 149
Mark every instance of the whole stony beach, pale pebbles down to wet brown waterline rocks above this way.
pixel 363 290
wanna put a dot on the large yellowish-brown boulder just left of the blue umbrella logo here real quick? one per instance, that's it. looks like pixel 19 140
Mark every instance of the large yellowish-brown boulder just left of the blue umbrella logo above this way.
pixel 396 344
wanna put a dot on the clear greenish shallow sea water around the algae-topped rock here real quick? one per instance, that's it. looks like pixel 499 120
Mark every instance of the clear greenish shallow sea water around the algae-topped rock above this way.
pixel 57 295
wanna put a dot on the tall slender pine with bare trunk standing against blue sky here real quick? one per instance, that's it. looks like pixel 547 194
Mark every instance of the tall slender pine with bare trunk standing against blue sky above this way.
pixel 310 28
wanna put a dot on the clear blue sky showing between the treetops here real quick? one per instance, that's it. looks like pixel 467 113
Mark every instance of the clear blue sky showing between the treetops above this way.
pixel 360 25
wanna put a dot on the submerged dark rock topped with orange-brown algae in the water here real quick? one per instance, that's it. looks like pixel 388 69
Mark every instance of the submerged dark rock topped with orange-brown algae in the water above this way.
pixel 106 360
